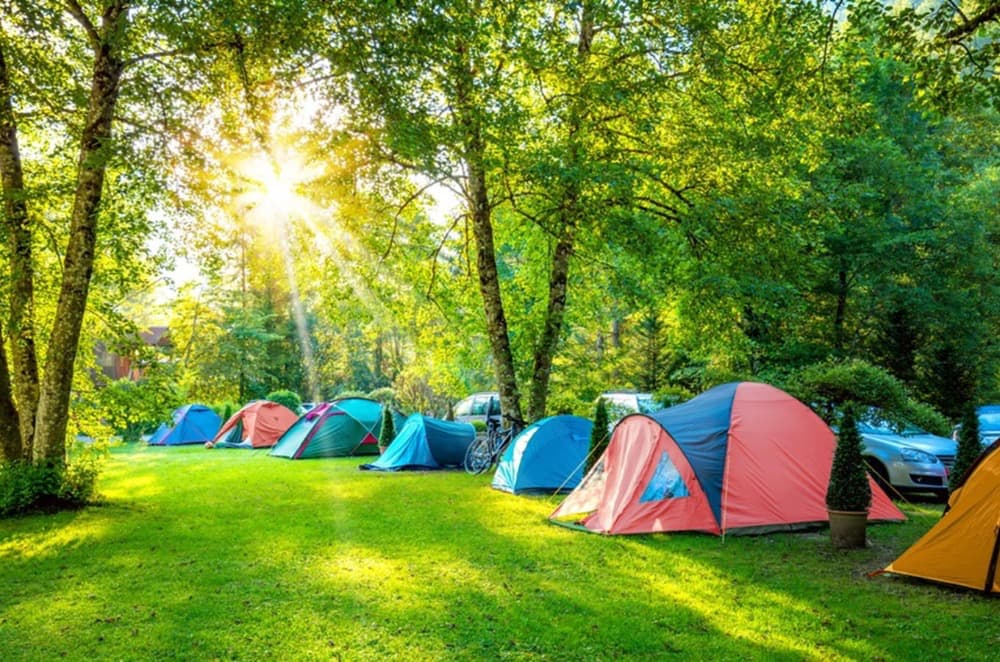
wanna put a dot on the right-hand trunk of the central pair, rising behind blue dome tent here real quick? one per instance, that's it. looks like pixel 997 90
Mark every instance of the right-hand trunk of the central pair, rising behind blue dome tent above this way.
pixel 555 312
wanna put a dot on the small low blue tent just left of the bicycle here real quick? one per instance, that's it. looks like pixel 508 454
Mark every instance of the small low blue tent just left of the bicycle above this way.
pixel 426 443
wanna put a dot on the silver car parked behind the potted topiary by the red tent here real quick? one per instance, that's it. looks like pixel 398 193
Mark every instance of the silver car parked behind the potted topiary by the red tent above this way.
pixel 906 459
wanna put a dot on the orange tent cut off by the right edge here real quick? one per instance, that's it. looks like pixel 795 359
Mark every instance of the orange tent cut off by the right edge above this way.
pixel 963 547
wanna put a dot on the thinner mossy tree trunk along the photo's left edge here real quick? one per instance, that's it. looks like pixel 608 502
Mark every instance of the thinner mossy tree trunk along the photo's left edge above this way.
pixel 21 322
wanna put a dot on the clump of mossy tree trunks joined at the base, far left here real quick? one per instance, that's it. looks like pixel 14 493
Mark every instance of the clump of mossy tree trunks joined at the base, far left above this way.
pixel 43 396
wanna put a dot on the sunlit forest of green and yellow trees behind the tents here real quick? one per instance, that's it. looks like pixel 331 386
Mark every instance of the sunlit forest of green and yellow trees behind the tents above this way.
pixel 548 198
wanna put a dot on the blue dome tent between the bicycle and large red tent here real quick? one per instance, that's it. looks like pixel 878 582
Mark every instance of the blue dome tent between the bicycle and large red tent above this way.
pixel 547 456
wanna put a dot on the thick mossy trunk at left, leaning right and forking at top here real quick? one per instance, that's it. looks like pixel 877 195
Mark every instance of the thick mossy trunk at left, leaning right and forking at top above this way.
pixel 78 266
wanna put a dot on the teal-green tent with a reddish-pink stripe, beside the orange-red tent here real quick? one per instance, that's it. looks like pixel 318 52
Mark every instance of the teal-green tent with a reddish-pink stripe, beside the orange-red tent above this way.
pixel 333 429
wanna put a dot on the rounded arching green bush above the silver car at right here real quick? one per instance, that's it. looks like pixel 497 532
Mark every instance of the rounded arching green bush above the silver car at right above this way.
pixel 828 386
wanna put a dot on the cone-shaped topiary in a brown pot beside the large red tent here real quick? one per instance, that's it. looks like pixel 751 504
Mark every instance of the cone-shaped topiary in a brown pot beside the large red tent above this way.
pixel 849 493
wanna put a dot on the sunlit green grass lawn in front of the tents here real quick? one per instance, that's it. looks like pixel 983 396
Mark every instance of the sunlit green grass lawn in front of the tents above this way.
pixel 231 554
